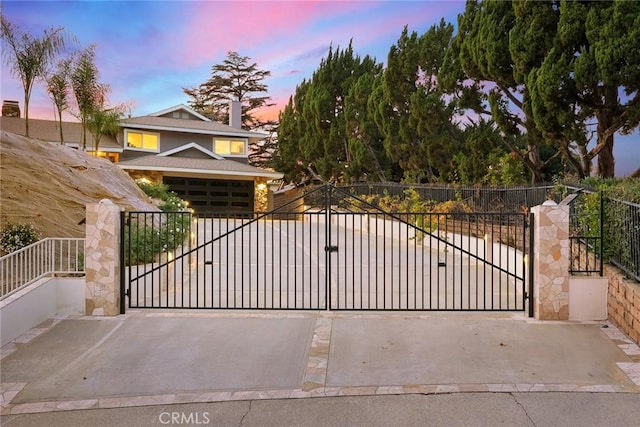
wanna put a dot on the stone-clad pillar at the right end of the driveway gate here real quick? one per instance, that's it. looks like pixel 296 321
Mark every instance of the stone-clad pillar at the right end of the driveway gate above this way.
pixel 551 261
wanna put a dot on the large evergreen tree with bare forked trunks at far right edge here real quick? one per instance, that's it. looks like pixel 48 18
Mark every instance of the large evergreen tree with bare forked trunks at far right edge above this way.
pixel 594 60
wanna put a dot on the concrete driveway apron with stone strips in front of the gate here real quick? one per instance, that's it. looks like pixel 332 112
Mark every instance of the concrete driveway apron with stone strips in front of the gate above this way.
pixel 155 358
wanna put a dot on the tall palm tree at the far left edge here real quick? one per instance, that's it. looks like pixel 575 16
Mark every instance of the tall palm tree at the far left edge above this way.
pixel 29 57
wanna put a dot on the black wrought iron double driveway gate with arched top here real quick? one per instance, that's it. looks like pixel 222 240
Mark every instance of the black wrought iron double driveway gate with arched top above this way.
pixel 327 250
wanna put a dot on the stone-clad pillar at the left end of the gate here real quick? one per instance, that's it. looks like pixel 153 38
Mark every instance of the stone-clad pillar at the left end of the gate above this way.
pixel 102 263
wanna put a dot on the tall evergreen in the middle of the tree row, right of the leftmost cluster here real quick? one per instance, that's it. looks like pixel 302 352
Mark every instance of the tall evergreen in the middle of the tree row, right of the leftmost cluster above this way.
pixel 415 112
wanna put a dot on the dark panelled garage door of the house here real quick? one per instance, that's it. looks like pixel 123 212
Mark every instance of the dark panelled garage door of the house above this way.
pixel 212 195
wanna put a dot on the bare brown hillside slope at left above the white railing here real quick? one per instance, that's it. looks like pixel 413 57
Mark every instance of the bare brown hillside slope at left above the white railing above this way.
pixel 49 185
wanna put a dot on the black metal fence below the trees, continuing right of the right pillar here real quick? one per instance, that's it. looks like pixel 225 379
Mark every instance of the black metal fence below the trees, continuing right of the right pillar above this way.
pixel 608 232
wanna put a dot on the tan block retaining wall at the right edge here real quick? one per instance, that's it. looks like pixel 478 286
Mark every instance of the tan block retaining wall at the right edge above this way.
pixel 623 303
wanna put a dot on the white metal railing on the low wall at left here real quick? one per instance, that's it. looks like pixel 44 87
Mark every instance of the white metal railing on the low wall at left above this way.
pixel 47 257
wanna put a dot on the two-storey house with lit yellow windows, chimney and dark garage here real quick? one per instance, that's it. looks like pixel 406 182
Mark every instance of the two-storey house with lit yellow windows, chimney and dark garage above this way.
pixel 204 162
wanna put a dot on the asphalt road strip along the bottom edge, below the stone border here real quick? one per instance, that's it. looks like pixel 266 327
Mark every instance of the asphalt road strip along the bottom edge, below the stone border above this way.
pixel 462 409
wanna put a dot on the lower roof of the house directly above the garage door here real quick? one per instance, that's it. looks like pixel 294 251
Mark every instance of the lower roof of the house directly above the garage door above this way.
pixel 155 162
